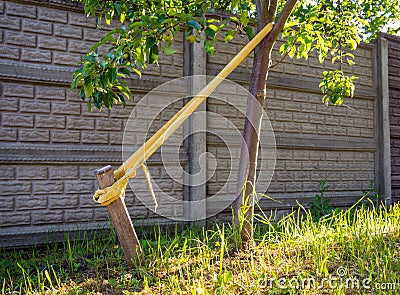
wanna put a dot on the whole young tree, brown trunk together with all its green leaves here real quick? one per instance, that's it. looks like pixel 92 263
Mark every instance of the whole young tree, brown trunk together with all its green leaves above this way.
pixel 332 28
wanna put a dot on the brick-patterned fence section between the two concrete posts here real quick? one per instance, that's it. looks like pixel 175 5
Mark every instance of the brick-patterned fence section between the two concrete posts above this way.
pixel 314 142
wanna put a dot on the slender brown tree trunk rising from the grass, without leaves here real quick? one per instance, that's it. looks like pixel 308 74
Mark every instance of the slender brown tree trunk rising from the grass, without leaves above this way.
pixel 243 207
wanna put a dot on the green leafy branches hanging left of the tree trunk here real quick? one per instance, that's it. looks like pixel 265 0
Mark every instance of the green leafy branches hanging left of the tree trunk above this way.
pixel 148 27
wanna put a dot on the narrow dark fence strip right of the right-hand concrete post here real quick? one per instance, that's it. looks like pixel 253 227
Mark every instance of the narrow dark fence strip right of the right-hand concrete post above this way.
pixel 394 111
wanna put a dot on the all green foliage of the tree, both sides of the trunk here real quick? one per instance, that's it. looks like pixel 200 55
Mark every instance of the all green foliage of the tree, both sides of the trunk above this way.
pixel 331 28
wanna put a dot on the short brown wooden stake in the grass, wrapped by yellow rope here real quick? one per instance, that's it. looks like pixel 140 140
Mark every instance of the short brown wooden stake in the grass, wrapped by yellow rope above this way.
pixel 121 219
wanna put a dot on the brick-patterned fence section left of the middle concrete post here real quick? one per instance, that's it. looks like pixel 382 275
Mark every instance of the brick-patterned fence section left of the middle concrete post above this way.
pixel 49 142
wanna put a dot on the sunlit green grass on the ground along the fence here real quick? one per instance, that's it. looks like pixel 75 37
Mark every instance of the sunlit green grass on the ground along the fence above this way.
pixel 346 252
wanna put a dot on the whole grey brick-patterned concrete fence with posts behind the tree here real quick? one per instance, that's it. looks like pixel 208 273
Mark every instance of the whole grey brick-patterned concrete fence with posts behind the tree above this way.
pixel 50 143
